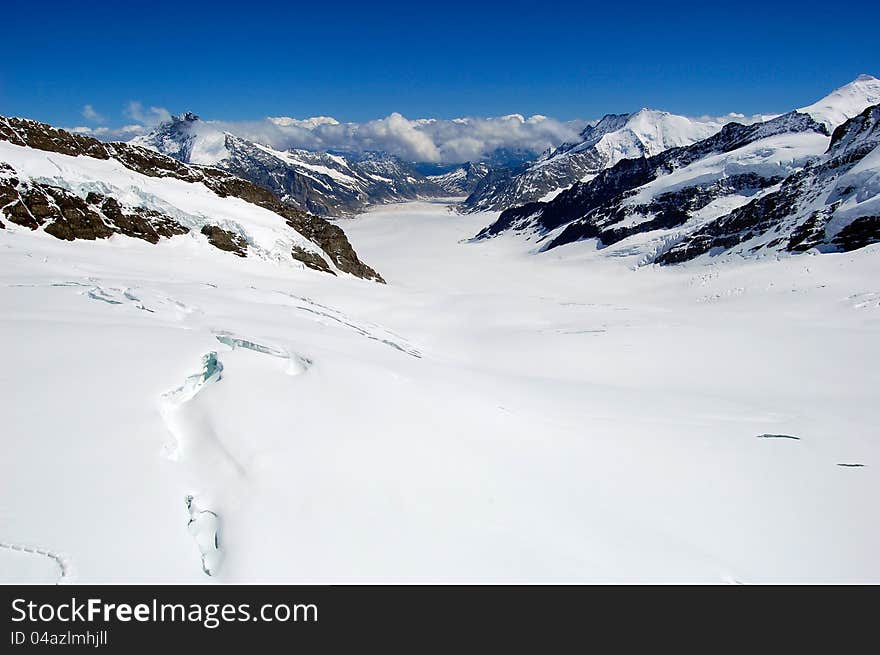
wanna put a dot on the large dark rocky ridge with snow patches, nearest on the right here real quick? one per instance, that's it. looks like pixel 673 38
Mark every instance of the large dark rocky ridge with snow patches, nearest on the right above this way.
pixel 784 184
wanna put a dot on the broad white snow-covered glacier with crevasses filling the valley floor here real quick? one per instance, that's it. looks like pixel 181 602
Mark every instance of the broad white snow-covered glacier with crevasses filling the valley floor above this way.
pixel 509 419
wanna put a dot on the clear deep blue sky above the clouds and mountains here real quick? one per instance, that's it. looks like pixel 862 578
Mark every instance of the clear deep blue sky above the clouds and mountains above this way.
pixel 357 61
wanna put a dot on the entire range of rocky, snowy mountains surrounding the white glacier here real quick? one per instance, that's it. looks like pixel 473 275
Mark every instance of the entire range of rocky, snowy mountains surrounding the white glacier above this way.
pixel 662 187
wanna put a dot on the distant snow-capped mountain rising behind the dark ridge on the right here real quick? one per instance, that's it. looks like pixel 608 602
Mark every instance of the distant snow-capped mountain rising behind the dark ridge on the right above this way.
pixel 615 137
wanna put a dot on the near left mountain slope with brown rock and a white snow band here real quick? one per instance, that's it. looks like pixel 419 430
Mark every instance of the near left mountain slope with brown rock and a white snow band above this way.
pixel 74 187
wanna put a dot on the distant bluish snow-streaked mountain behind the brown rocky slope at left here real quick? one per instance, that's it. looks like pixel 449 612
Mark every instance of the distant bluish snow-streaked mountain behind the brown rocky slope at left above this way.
pixel 323 183
